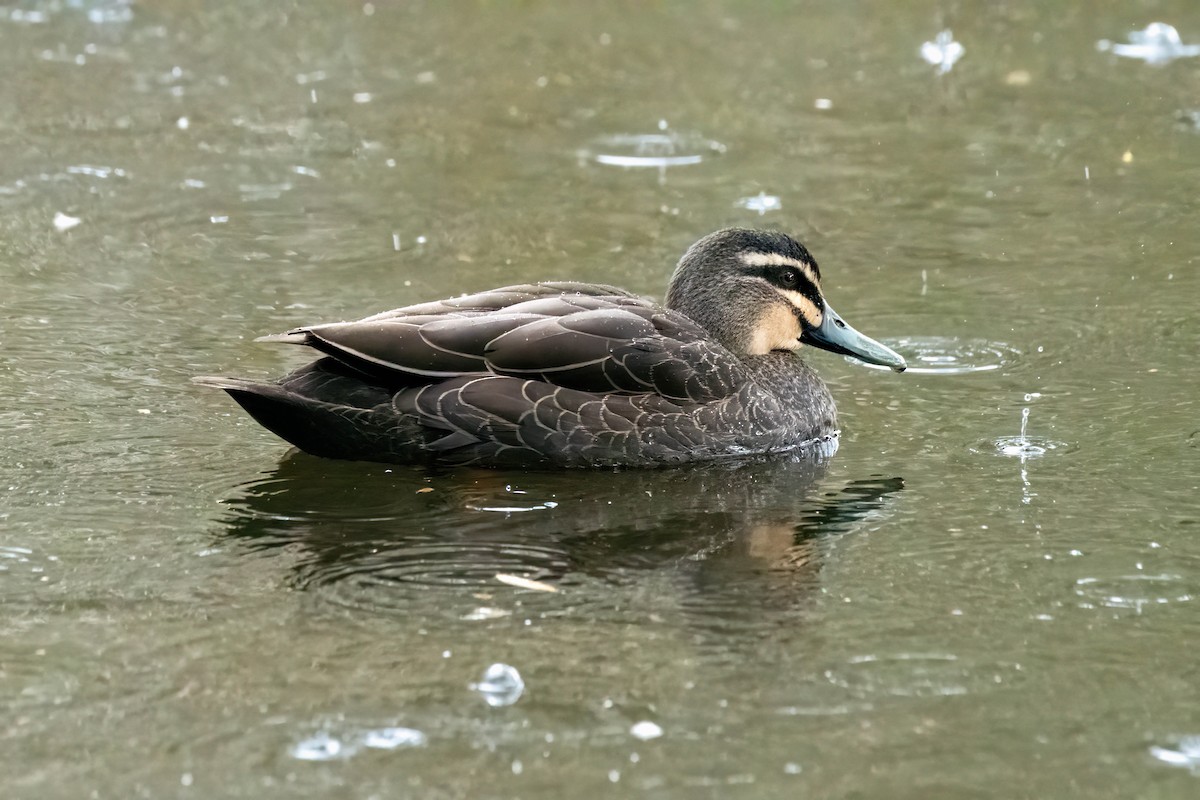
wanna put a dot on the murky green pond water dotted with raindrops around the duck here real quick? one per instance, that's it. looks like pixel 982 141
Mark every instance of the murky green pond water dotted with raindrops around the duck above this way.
pixel 184 605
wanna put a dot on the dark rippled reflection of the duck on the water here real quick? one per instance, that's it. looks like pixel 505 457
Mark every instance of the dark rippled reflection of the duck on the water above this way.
pixel 728 539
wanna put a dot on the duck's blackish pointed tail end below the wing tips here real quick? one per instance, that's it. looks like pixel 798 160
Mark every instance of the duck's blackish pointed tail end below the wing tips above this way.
pixel 329 412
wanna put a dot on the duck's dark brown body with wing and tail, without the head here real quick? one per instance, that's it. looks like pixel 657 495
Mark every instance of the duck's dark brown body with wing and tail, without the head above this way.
pixel 557 374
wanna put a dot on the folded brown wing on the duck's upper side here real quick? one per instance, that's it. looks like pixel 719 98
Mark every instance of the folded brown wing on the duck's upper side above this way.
pixel 595 339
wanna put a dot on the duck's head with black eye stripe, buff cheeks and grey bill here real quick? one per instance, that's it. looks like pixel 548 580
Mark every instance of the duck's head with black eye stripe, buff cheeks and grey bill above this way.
pixel 760 291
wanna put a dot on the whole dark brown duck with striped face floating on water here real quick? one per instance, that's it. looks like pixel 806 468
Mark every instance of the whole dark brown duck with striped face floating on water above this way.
pixel 569 375
